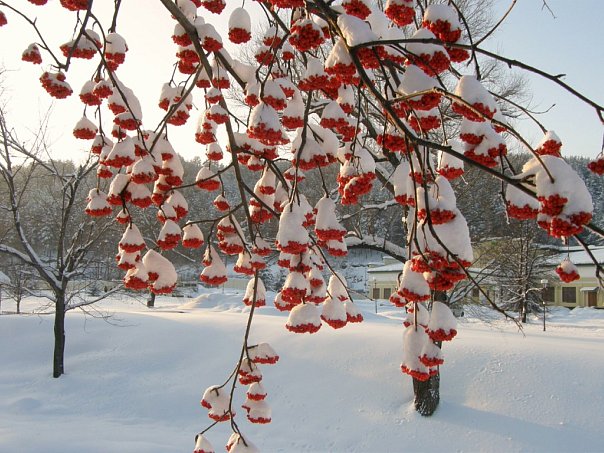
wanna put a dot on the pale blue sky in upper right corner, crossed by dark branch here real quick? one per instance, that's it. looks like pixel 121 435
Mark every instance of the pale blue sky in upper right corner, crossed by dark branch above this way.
pixel 571 44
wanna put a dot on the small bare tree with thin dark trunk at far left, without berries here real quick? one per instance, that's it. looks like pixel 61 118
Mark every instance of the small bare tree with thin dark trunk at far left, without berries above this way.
pixel 64 255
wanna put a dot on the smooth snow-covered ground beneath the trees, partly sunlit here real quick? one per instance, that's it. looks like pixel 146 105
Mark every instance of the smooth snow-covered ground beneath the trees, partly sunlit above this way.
pixel 134 382
